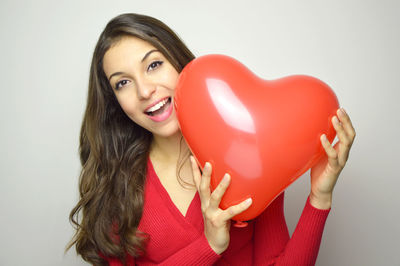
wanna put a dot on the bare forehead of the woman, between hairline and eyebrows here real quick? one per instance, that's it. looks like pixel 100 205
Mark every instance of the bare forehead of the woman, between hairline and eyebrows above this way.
pixel 127 49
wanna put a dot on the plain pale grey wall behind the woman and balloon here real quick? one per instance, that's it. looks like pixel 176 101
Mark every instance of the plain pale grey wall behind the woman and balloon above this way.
pixel 46 48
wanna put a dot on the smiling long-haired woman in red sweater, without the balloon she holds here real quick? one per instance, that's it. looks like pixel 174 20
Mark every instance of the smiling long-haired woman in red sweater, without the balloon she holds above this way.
pixel 142 200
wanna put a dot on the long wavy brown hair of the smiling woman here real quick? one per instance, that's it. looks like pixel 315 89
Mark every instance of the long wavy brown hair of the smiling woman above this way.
pixel 114 150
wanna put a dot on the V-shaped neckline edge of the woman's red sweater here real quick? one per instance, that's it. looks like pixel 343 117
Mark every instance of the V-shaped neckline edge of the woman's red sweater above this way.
pixel 194 205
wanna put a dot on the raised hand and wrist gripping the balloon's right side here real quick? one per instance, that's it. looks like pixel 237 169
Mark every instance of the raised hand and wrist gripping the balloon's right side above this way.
pixel 326 172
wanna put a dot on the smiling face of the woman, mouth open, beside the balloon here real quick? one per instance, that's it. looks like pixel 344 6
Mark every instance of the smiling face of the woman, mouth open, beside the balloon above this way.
pixel 143 81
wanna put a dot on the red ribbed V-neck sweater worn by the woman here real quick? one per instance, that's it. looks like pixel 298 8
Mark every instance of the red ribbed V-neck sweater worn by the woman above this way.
pixel 175 239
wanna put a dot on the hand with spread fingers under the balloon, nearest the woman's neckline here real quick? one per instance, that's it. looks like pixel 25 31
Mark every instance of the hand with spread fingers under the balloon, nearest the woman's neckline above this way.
pixel 217 222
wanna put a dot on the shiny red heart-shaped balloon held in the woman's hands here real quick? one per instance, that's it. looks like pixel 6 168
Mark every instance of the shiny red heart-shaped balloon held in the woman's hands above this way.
pixel 264 133
